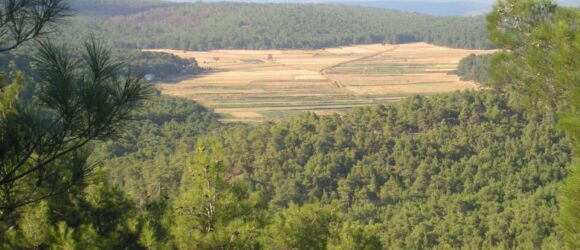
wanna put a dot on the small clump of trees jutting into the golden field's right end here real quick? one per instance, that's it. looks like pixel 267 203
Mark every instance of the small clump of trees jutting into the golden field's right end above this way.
pixel 474 68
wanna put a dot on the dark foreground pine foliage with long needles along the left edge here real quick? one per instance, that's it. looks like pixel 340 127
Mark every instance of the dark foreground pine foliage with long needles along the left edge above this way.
pixel 43 138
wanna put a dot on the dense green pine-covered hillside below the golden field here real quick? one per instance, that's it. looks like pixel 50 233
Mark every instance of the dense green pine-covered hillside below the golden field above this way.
pixel 451 170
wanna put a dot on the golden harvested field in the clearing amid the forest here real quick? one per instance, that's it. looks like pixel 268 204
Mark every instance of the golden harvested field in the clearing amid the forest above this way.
pixel 259 85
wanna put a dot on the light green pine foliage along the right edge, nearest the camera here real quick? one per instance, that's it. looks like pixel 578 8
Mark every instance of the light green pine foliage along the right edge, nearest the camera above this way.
pixel 539 63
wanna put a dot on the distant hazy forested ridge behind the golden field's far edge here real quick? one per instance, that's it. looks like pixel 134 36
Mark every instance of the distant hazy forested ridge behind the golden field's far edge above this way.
pixel 205 26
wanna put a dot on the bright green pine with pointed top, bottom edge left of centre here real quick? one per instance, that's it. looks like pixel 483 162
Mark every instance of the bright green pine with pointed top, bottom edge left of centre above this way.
pixel 212 212
